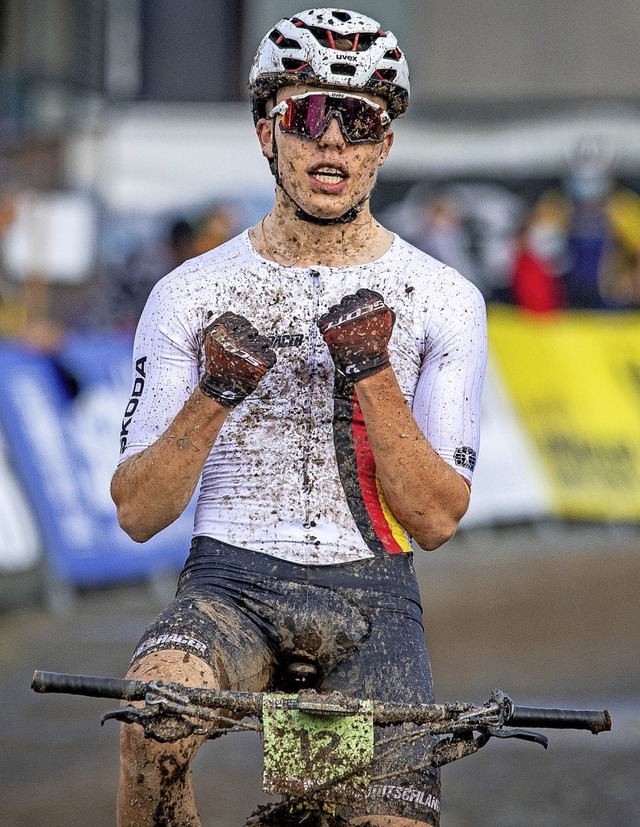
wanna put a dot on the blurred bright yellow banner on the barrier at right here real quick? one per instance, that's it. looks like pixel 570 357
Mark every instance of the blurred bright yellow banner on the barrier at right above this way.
pixel 575 379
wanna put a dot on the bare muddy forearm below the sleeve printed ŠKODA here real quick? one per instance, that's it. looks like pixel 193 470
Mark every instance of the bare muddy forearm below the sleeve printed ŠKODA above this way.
pixel 152 488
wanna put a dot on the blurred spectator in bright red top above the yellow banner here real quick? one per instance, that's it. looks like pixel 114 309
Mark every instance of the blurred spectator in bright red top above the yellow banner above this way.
pixel 540 253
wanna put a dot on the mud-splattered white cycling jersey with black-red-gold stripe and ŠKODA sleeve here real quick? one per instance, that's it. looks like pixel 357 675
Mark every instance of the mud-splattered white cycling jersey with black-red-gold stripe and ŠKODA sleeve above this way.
pixel 292 473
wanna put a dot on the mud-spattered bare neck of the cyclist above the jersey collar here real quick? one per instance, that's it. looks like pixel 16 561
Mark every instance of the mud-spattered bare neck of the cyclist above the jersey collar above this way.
pixel 289 240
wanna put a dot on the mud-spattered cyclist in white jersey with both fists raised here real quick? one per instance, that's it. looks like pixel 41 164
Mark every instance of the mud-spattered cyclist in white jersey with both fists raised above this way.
pixel 320 378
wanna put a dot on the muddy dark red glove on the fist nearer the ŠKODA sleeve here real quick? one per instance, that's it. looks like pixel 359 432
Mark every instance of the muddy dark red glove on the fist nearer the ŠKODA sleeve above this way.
pixel 236 359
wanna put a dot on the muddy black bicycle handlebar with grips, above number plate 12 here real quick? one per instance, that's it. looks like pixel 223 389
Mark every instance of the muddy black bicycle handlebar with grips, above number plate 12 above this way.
pixel 250 703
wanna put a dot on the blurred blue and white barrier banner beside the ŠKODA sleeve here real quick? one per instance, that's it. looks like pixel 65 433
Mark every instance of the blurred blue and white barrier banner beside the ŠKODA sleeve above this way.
pixel 60 420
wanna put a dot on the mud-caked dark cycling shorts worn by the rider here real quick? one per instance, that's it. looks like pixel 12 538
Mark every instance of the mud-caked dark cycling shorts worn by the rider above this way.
pixel 250 615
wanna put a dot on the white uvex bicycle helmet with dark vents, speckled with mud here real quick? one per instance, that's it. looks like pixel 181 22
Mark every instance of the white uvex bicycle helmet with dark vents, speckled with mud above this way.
pixel 330 47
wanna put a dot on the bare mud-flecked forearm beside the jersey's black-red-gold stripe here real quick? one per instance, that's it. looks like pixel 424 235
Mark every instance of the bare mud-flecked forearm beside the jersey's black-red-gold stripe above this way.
pixel 425 494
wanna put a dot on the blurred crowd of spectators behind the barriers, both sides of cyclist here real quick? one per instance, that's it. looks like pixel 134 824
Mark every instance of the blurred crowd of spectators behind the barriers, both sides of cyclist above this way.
pixel 575 244
